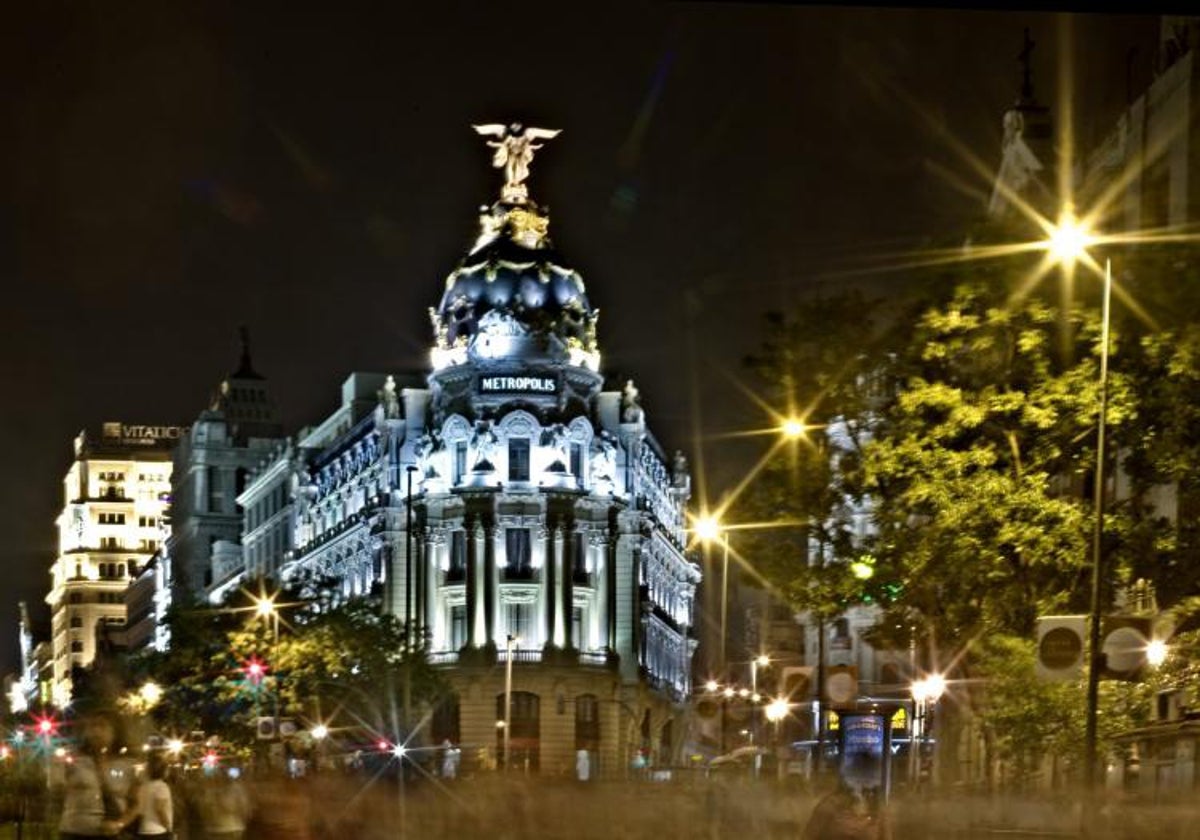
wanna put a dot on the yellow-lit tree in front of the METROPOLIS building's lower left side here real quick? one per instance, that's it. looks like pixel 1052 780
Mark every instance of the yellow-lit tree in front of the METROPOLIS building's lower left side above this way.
pixel 226 668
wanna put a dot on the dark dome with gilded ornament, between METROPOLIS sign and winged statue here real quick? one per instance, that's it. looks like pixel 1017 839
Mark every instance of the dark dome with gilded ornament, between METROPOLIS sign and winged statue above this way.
pixel 514 287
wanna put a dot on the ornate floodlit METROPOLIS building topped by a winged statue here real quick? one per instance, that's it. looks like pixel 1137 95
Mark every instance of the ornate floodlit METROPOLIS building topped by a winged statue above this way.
pixel 507 505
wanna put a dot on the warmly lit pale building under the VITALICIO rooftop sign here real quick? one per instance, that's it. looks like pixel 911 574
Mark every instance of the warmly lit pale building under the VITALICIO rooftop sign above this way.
pixel 112 524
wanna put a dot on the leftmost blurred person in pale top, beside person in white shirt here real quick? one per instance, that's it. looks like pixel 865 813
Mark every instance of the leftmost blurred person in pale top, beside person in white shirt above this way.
pixel 97 785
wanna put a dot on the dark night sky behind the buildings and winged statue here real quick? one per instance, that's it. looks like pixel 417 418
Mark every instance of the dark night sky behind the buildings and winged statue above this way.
pixel 169 173
